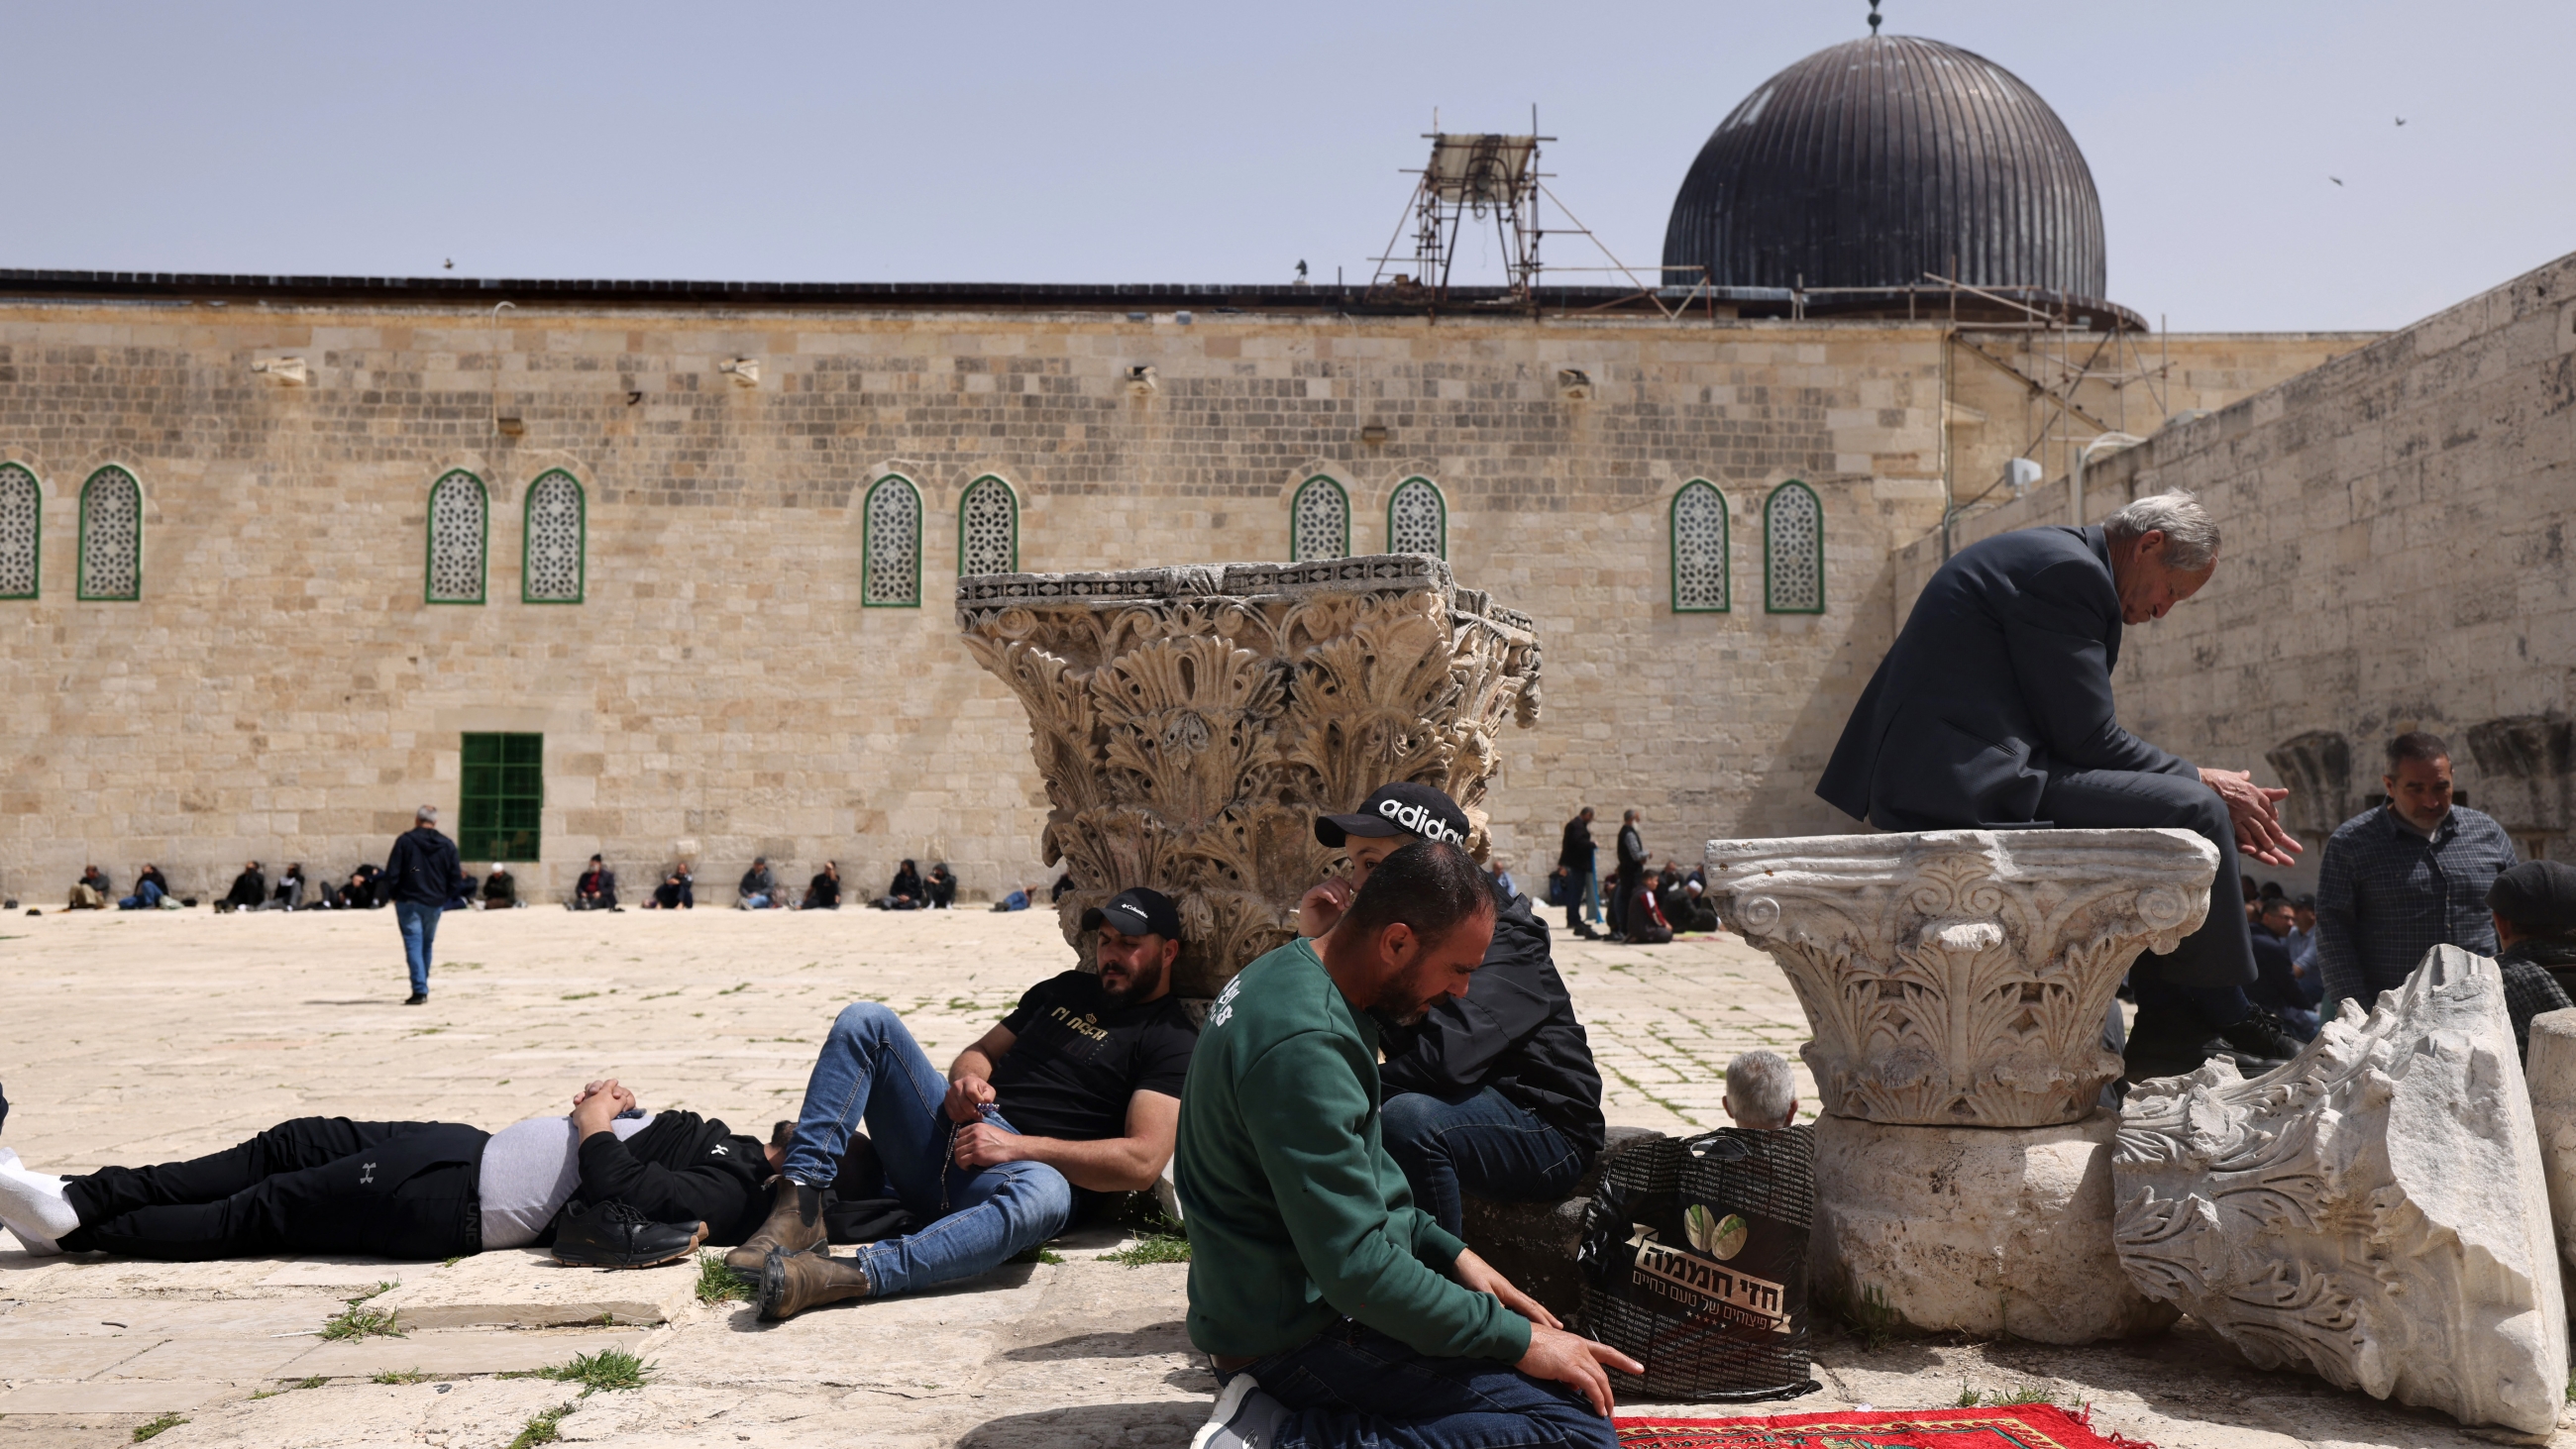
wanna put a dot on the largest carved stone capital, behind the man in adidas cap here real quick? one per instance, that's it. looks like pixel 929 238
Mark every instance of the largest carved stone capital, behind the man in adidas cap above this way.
pixel 1194 722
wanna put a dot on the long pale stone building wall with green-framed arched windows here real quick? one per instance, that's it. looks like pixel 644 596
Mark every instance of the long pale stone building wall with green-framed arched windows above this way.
pixel 285 694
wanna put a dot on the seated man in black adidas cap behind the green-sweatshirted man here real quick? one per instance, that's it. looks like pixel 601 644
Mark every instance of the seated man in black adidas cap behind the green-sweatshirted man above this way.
pixel 1490 1095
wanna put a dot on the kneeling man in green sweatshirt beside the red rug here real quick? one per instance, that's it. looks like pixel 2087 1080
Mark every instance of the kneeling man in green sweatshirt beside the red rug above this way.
pixel 1338 1311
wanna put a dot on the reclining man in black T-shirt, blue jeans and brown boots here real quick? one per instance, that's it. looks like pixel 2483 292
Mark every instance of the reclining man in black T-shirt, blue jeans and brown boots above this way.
pixel 1078 1087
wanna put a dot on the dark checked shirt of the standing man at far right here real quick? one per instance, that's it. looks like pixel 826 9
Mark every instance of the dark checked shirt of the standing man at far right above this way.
pixel 2387 897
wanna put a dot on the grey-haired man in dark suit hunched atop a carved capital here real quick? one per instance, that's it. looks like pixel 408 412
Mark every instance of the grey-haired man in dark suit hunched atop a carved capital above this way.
pixel 1995 712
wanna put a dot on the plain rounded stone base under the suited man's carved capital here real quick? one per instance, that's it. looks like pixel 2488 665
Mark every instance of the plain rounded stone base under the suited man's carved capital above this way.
pixel 1977 1229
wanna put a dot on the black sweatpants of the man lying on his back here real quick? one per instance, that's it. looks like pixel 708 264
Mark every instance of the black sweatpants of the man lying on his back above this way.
pixel 316 1185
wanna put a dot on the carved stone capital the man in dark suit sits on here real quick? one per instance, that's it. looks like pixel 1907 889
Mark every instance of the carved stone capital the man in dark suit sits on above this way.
pixel 1959 979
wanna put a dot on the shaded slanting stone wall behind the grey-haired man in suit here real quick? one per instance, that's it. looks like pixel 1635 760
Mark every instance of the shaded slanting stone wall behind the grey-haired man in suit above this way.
pixel 2397 557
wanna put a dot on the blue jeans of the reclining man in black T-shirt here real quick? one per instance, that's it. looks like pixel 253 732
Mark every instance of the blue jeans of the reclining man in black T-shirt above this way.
pixel 978 1219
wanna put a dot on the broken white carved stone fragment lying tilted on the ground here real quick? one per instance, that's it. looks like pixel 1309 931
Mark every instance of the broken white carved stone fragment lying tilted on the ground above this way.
pixel 2371 1211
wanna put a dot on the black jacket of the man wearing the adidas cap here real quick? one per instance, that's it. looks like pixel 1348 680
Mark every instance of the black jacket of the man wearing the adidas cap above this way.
pixel 1516 1033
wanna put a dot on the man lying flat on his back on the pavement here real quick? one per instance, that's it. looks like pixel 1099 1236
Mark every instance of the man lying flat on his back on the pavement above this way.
pixel 607 1185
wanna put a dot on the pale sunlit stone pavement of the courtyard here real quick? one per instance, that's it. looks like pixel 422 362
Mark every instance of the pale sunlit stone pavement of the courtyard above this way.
pixel 156 1036
